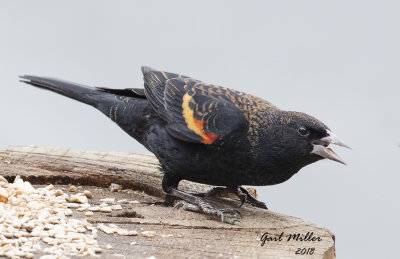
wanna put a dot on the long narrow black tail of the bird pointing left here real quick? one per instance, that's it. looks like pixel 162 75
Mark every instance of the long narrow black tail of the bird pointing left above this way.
pixel 86 94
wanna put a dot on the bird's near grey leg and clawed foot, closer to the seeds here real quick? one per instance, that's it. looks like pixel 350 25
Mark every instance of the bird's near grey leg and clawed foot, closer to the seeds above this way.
pixel 193 203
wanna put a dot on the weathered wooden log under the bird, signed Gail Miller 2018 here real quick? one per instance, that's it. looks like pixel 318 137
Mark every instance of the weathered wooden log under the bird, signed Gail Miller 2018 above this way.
pixel 193 235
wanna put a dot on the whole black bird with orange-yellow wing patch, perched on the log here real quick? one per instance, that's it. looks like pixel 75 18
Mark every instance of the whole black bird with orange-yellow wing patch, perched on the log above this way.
pixel 208 134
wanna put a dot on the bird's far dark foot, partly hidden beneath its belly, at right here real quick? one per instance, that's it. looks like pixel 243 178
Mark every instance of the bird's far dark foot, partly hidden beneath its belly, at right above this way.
pixel 239 191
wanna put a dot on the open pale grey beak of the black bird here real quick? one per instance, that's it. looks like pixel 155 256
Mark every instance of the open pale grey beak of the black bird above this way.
pixel 320 147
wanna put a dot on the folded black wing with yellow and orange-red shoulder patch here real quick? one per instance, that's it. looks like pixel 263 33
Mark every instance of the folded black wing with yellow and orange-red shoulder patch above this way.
pixel 194 111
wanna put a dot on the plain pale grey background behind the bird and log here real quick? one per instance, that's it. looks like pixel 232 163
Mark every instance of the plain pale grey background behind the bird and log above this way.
pixel 335 60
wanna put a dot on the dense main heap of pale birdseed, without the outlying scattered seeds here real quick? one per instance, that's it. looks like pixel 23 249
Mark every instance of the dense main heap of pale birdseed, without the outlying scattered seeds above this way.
pixel 30 217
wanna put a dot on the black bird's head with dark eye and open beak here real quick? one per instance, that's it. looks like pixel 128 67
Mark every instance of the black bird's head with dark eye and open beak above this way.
pixel 309 138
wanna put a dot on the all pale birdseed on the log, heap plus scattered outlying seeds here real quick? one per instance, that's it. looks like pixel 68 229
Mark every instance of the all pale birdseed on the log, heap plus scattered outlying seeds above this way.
pixel 36 220
